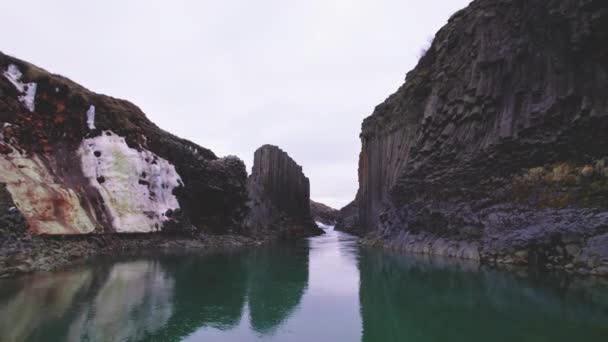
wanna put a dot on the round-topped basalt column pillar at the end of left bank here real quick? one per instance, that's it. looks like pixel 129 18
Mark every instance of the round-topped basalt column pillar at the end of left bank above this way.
pixel 279 195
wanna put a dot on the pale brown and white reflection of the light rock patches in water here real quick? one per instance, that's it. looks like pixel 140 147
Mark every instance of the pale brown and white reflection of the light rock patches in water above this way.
pixel 124 302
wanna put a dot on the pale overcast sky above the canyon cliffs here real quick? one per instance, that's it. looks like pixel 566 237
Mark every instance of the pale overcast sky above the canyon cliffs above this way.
pixel 235 75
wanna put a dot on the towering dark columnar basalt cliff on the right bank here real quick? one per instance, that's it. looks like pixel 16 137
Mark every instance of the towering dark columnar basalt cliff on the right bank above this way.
pixel 496 144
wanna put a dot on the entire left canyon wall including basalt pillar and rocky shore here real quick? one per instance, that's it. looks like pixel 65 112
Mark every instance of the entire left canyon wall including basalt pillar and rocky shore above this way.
pixel 82 173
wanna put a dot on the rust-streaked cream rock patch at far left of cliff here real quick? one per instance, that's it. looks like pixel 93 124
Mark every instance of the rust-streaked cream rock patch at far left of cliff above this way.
pixel 48 206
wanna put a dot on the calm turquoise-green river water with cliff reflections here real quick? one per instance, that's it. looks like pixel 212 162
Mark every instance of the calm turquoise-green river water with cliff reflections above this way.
pixel 322 289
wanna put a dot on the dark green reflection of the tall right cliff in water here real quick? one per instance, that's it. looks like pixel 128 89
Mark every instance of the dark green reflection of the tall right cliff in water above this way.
pixel 402 298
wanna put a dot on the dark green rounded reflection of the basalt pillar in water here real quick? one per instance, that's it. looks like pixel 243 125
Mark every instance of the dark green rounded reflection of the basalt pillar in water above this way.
pixel 278 277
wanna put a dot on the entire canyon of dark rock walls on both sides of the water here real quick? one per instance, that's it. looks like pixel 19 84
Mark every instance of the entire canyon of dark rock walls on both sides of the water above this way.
pixel 494 149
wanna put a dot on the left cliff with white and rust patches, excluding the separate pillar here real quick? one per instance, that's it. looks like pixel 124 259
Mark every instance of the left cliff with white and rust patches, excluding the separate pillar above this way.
pixel 76 162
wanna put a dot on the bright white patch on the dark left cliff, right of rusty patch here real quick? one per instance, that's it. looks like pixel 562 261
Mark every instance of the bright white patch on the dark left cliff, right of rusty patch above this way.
pixel 136 186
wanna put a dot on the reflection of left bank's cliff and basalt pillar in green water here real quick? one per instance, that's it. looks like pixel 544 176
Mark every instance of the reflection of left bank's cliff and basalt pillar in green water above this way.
pixel 164 299
